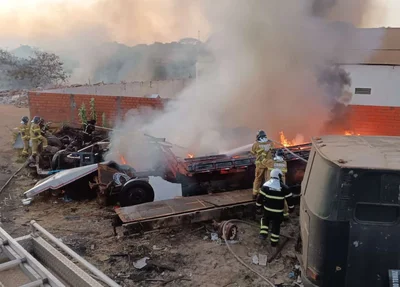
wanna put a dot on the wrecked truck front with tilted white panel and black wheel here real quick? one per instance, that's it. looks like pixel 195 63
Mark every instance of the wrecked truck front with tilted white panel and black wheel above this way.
pixel 109 182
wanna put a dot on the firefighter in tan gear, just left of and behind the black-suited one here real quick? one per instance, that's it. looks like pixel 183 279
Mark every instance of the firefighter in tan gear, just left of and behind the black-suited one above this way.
pixel 262 150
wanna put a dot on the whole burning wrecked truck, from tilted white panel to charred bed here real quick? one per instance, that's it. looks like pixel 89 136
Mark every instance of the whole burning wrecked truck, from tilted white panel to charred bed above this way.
pixel 114 183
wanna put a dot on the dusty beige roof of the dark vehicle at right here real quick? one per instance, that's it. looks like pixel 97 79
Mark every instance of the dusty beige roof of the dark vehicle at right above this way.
pixel 369 152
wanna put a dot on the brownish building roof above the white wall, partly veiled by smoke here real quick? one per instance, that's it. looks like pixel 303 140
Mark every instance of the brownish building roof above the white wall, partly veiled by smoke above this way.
pixel 381 45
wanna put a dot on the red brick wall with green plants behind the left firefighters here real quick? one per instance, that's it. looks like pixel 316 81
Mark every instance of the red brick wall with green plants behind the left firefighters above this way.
pixel 59 108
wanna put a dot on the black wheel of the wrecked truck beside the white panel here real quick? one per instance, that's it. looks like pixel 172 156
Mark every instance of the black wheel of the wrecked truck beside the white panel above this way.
pixel 136 192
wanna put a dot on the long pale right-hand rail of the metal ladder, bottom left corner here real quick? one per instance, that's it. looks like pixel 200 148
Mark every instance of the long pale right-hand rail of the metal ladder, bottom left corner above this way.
pixel 68 250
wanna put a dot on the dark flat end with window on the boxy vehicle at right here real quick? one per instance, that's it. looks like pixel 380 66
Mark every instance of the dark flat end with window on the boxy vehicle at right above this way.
pixel 374 229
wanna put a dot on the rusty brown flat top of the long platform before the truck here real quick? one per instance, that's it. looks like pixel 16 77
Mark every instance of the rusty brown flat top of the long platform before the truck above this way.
pixel 181 205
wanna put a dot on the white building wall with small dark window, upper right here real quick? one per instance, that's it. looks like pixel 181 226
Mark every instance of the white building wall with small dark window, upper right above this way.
pixel 384 82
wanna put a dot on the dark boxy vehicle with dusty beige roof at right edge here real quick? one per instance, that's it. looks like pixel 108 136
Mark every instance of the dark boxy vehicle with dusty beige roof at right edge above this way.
pixel 349 211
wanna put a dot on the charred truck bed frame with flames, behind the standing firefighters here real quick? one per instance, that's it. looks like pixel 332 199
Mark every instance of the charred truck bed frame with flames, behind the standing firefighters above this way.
pixel 200 175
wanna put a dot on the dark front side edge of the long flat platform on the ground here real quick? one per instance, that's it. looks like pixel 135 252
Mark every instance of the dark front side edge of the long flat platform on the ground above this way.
pixel 242 210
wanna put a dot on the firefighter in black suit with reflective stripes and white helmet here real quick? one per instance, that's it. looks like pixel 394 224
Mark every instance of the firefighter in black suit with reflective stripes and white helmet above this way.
pixel 271 199
